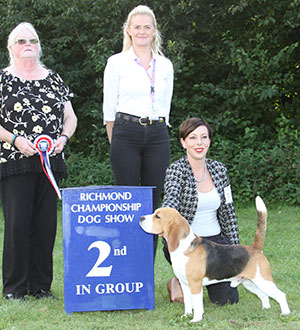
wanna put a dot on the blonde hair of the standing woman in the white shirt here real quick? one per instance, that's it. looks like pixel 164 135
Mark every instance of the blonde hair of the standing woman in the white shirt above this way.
pixel 142 10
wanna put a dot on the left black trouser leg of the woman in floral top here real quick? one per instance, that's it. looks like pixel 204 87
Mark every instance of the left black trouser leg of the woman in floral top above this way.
pixel 17 195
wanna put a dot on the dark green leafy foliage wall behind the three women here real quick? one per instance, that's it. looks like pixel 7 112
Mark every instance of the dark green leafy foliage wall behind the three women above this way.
pixel 236 64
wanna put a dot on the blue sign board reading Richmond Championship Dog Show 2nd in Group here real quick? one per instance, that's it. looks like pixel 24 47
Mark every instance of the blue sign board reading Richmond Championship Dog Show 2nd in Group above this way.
pixel 108 258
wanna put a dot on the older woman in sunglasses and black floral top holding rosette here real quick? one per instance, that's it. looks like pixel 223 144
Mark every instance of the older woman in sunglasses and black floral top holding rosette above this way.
pixel 34 101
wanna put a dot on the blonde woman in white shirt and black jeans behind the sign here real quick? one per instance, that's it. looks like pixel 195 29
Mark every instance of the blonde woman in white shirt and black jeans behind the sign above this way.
pixel 138 87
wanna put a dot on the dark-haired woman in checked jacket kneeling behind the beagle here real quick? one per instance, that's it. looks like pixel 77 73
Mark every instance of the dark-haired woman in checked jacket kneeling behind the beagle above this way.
pixel 199 188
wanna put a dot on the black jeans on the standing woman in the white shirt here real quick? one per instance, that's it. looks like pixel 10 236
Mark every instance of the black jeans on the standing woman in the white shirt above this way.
pixel 140 155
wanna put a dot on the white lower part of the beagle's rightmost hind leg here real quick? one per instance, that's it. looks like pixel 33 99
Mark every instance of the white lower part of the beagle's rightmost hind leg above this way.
pixel 270 288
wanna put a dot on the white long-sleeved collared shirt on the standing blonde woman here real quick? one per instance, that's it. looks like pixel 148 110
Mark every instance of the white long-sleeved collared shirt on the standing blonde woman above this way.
pixel 127 87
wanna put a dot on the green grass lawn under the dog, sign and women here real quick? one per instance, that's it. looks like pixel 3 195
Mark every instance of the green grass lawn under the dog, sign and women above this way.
pixel 282 247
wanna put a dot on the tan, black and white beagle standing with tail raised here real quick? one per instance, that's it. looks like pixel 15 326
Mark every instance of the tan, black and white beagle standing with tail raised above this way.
pixel 199 262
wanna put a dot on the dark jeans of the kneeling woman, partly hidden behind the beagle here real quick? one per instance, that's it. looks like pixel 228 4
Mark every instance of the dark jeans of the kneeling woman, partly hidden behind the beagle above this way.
pixel 220 293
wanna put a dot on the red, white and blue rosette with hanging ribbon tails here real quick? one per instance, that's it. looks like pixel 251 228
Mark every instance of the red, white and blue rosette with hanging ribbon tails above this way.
pixel 45 146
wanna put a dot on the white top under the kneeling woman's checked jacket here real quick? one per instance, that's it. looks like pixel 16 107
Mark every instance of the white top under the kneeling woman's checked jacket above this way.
pixel 205 222
